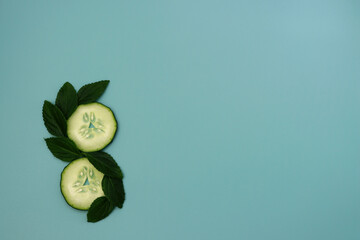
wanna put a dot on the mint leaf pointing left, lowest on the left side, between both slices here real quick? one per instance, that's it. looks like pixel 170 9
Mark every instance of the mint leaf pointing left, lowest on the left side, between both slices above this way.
pixel 63 148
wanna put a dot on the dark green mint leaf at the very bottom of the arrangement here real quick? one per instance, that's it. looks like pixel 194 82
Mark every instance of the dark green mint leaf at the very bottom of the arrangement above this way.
pixel 100 209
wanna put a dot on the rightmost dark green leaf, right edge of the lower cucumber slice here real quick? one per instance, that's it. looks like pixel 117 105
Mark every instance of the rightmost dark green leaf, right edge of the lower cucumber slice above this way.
pixel 114 190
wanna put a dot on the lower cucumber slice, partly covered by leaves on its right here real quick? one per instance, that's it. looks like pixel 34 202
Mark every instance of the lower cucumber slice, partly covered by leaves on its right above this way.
pixel 81 184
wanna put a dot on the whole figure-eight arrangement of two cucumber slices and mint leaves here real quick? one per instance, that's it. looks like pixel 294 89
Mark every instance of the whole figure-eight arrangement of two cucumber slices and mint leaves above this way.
pixel 82 128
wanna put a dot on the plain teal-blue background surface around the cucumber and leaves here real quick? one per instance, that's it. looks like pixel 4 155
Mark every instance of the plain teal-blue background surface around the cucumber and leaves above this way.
pixel 238 119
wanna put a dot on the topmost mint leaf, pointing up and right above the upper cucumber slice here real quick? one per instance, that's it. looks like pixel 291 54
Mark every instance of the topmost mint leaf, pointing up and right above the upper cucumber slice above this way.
pixel 91 92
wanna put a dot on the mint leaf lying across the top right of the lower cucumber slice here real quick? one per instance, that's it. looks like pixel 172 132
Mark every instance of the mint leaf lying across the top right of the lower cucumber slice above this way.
pixel 104 163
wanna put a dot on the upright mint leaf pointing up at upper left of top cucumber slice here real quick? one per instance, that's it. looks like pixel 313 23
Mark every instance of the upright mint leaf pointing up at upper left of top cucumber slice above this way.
pixel 66 99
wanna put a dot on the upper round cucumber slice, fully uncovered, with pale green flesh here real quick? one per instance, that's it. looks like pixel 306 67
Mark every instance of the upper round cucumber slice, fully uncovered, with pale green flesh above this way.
pixel 92 127
